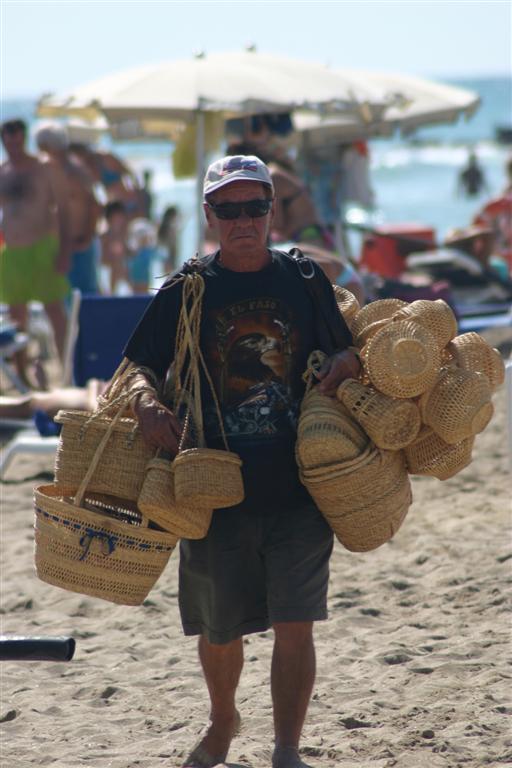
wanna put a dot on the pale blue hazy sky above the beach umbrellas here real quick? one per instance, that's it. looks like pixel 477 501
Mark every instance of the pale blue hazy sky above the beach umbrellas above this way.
pixel 54 45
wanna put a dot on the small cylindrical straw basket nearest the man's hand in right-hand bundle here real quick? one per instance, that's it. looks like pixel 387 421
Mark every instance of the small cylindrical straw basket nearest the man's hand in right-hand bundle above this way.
pixel 391 423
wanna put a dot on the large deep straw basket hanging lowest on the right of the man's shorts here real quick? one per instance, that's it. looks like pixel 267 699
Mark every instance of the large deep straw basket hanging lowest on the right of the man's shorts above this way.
pixel 364 503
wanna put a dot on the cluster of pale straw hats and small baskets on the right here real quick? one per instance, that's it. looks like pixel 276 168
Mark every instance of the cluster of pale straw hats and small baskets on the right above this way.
pixel 413 359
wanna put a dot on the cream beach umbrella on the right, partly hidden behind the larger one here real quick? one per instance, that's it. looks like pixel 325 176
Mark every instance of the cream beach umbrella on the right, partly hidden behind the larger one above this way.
pixel 415 102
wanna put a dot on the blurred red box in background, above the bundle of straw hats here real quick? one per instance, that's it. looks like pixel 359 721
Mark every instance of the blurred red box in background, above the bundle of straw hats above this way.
pixel 384 254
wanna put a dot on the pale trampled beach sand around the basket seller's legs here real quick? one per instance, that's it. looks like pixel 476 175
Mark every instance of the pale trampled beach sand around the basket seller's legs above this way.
pixel 412 663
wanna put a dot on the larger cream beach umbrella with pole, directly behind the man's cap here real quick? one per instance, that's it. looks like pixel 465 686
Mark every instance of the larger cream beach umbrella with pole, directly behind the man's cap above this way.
pixel 174 93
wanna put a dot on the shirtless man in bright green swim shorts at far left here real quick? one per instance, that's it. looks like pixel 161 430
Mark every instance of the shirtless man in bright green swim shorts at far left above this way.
pixel 34 259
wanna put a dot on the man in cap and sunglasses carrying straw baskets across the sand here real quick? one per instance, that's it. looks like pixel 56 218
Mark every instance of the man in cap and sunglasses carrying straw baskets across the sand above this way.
pixel 264 562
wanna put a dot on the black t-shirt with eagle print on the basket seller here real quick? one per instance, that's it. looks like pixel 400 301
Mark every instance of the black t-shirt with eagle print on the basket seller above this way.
pixel 257 331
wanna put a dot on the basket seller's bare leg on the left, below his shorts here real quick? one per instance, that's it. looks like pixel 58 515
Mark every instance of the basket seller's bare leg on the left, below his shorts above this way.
pixel 222 666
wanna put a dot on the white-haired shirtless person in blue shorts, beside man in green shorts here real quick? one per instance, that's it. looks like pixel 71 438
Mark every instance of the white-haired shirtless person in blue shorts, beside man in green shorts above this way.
pixel 83 209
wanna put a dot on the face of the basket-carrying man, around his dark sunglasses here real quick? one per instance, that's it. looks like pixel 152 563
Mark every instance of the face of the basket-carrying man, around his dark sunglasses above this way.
pixel 245 233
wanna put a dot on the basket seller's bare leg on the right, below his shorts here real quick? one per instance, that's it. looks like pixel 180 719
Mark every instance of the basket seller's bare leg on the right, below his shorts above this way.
pixel 292 679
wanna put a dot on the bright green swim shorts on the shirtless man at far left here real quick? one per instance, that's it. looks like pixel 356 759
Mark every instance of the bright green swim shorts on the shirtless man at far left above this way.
pixel 27 273
